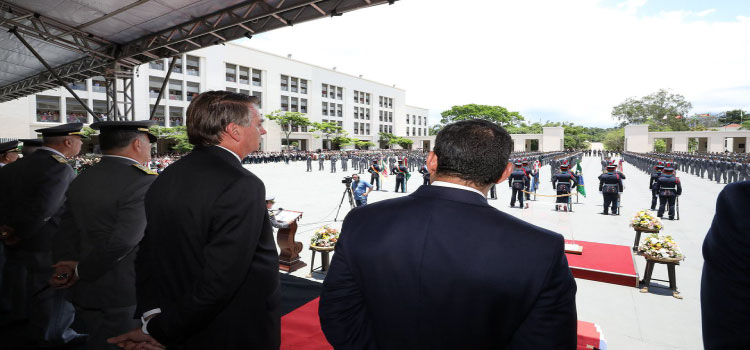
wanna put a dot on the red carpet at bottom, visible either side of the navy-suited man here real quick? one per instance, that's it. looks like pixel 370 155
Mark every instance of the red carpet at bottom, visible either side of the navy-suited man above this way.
pixel 300 330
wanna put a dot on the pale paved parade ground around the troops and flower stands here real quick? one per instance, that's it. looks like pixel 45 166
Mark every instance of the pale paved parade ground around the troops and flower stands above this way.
pixel 628 318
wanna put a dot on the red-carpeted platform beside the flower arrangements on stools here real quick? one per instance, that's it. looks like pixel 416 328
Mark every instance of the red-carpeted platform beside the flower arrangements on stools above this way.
pixel 606 263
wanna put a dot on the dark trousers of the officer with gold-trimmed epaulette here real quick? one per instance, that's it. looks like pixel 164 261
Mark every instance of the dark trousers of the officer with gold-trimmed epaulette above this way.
pixel 106 323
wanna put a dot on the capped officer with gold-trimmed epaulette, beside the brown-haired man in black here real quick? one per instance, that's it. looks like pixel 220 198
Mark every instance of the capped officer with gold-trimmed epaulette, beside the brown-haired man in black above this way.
pixel 101 228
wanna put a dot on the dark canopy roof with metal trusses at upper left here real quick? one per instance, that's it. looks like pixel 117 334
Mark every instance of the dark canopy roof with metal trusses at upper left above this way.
pixel 82 38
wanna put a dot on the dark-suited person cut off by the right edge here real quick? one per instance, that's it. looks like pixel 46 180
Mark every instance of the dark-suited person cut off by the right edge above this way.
pixel 725 285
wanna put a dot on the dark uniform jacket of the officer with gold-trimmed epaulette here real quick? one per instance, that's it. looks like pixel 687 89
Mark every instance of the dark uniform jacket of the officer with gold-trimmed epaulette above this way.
pixel 101 228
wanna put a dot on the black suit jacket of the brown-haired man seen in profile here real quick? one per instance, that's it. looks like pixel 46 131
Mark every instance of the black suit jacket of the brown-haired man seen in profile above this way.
pixel 208 258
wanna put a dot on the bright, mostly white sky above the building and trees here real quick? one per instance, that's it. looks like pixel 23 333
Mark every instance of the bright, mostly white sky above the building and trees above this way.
pixel 547 59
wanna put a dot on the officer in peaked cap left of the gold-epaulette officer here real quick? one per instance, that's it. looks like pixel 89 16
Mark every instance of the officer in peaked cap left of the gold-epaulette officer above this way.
pixel 32 203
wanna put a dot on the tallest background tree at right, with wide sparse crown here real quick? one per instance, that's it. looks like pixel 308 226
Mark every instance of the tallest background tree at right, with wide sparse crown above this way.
pixel 660 109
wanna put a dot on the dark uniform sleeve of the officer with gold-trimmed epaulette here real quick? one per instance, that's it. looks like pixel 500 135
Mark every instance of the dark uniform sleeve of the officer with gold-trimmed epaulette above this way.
pixel 127 231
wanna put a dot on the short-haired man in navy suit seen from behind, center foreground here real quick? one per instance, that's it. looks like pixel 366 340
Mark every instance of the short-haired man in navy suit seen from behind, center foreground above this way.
pixel 443 273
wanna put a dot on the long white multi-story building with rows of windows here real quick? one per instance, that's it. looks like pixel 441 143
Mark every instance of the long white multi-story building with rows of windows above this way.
pixel 362 107
